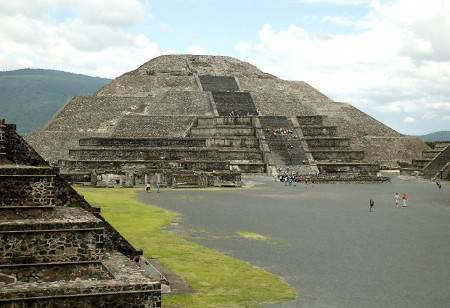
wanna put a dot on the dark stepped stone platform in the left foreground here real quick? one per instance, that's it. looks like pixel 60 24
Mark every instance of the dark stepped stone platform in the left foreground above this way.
pixel 56 250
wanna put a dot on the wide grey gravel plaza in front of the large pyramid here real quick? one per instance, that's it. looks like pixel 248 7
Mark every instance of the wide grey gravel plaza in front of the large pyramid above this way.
pixel 324 241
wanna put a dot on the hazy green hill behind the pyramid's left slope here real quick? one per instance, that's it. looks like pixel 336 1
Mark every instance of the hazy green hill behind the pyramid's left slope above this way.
pixel 29 97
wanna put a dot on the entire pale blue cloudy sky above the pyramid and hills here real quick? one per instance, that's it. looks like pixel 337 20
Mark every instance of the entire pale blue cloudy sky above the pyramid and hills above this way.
pixel 389 58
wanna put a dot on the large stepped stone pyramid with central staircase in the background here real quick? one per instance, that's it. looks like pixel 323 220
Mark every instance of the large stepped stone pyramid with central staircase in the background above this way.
pixel 185 120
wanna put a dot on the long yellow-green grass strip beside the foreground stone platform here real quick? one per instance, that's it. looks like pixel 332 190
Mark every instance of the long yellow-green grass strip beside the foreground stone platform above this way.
pixel 220 281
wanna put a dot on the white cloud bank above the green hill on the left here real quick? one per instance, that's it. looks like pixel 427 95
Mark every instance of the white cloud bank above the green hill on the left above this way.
pixel 87 37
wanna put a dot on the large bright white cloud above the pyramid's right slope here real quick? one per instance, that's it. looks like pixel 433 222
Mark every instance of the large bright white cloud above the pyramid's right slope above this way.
pixel 398 62
